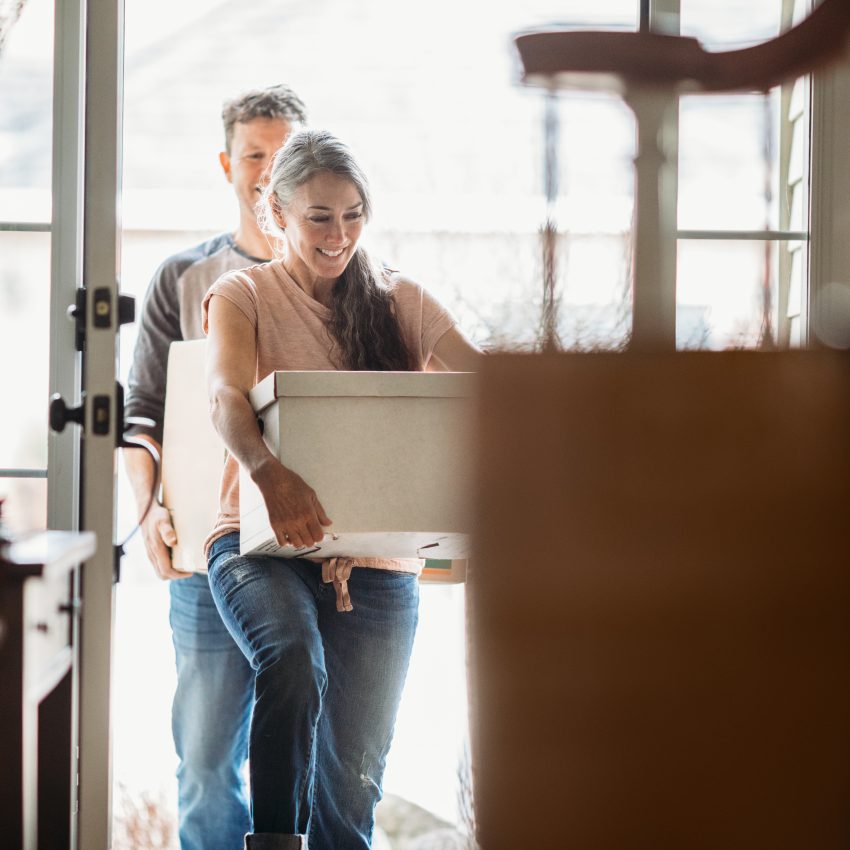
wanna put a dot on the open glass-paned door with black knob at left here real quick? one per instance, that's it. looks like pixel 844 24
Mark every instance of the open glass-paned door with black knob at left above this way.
pixel 59 193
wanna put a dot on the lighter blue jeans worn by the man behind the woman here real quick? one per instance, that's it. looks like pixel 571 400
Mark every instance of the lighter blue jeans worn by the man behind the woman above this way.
pixel 210 718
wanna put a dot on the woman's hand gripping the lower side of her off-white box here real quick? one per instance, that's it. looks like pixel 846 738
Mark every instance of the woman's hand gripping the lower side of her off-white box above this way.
pixel 296 515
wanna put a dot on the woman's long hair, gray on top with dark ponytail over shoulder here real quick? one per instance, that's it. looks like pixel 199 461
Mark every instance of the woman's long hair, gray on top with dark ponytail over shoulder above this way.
pixel 363 322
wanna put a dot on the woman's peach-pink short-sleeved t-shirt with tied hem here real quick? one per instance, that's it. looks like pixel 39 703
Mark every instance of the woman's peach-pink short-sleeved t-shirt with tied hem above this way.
pixel 291 330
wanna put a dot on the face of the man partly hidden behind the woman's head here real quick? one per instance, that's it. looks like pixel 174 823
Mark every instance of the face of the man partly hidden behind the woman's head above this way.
pixel 252 147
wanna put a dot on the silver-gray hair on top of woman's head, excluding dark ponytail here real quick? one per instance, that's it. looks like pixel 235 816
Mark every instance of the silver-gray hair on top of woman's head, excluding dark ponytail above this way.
pixel 305 154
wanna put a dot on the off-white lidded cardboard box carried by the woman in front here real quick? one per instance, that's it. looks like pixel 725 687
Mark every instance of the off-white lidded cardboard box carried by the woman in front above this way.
pixel 388 454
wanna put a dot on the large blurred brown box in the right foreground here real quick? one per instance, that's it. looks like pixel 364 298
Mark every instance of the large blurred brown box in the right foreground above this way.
pixel 660 602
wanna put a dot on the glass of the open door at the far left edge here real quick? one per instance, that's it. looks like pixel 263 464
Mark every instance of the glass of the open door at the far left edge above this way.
pixel 26 80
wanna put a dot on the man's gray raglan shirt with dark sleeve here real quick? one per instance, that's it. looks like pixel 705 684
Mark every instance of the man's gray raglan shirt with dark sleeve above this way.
pixel 172 312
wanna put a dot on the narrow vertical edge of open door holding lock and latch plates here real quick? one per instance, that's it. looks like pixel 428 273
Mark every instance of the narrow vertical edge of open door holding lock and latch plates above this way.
pixel 104 80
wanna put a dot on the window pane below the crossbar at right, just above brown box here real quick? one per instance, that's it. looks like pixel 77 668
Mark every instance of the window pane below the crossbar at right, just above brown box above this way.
pixel 723 299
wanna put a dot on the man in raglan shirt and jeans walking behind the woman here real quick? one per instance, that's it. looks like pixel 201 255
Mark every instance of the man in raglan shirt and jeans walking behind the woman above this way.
pixel 211 709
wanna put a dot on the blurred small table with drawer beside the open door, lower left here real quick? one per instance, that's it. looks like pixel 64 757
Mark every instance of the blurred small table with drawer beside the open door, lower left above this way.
pixel 38 688
